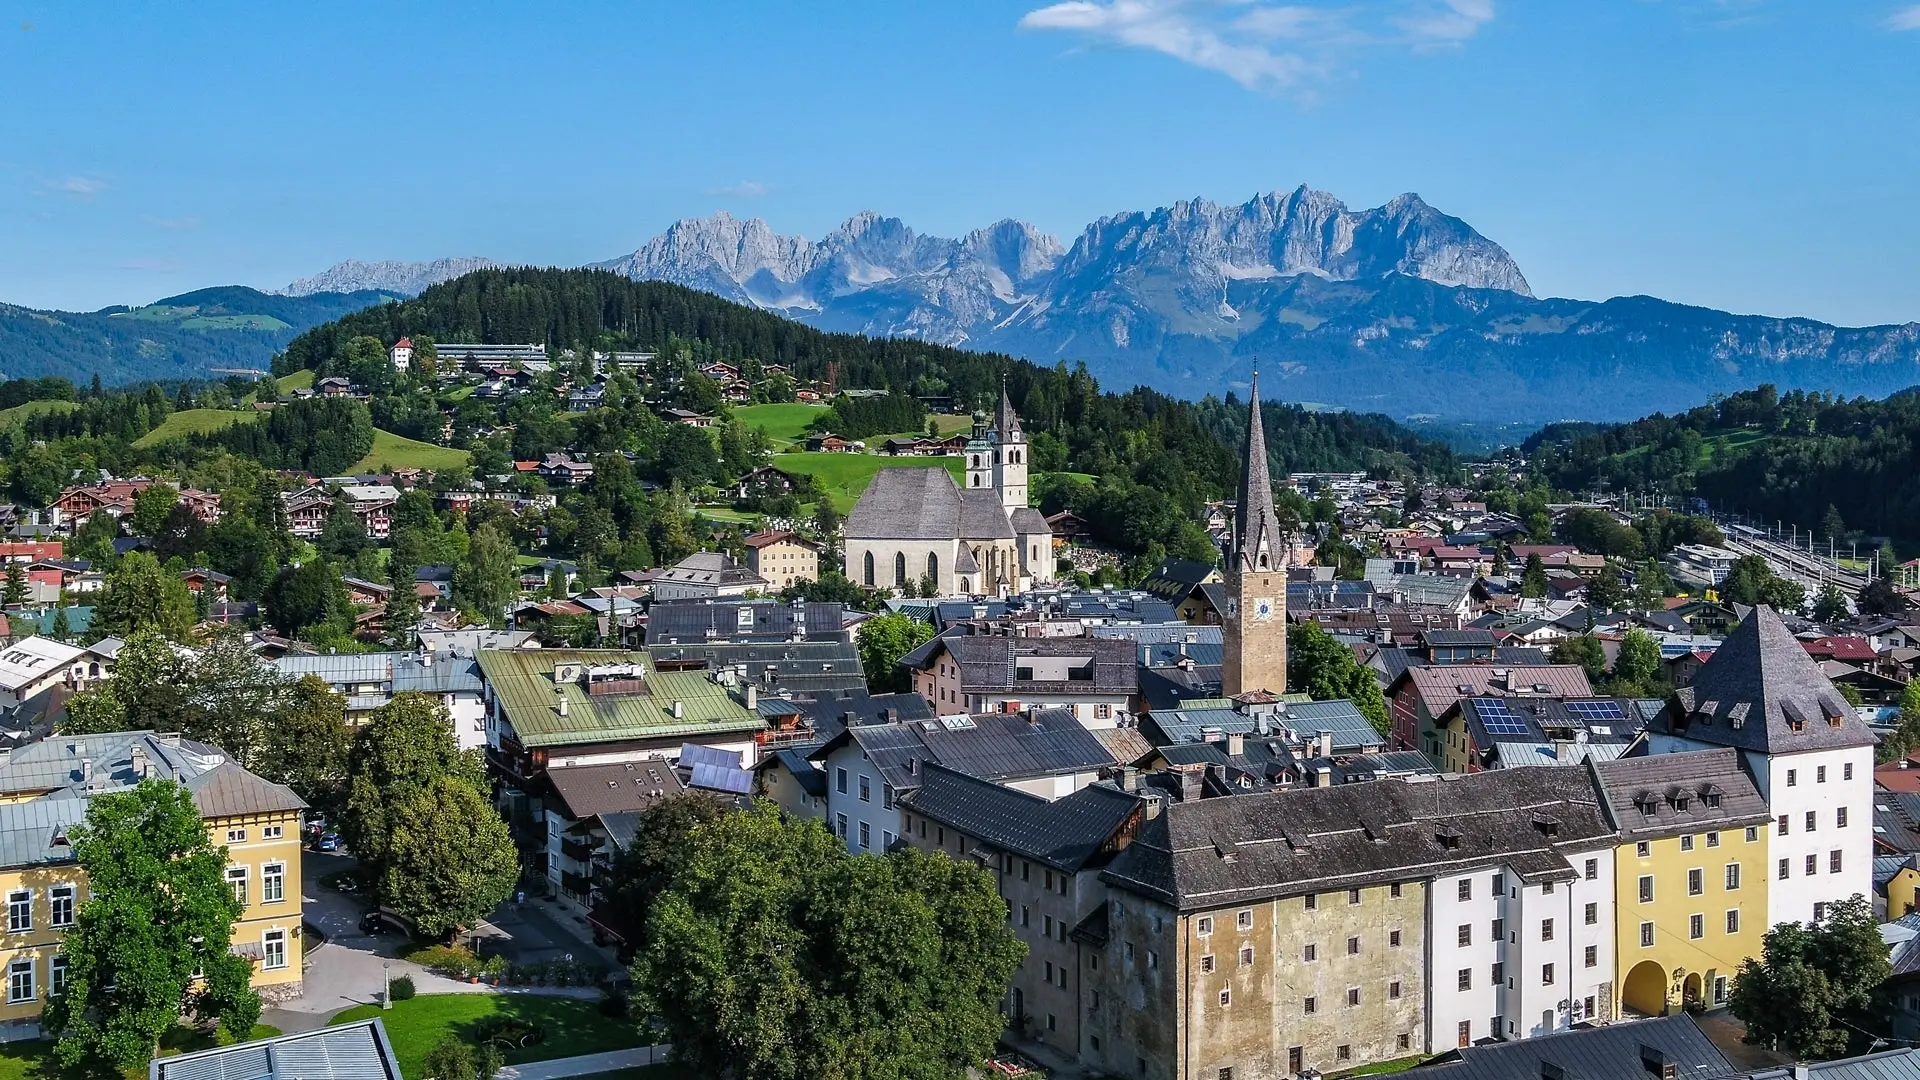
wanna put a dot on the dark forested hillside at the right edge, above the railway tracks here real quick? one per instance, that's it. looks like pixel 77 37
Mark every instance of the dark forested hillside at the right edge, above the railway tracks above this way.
pixel 1779 456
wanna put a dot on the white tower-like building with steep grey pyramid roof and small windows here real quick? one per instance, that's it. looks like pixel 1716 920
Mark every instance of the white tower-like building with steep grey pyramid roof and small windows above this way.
pixel 1806 750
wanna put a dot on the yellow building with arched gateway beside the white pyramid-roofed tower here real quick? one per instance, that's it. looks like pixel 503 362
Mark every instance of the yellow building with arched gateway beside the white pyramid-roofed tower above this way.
pixel 1691 877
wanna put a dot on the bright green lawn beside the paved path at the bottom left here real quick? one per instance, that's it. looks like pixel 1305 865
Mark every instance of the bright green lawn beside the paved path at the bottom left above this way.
pixel 573 1027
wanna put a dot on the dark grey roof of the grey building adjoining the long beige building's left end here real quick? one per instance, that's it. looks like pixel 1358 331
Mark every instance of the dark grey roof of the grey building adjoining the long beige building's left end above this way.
pixel 1063 833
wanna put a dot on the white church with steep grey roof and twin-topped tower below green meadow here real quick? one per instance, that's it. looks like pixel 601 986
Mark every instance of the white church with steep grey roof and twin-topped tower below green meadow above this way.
pixel 915 526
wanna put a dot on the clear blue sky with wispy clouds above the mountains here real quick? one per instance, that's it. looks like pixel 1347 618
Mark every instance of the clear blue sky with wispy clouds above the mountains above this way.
pixel 1744 155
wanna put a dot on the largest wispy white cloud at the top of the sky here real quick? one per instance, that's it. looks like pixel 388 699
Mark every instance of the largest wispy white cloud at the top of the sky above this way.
pixel 1262 45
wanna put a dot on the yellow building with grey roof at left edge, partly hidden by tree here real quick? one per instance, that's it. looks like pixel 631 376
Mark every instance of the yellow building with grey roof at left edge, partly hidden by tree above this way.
pixel 43 795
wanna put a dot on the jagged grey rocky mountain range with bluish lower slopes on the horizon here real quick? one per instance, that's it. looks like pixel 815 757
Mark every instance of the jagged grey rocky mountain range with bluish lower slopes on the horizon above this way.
pixel 1399 308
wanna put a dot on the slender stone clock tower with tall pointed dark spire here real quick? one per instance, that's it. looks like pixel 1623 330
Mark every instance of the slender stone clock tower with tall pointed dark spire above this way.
pixel 1255 624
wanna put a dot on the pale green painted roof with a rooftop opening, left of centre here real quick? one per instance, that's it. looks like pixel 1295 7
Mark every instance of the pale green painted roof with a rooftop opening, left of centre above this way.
pixel 525 687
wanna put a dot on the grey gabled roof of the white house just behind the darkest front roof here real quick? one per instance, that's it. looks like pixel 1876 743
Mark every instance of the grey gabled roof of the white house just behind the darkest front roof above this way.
pixel 994 747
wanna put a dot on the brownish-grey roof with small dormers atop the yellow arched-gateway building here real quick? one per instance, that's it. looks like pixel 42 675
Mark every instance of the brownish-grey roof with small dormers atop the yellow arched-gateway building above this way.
pixel 1668 795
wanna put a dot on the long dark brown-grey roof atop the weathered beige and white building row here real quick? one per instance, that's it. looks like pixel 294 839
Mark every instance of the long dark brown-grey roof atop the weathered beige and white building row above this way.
pixel 1218 852
